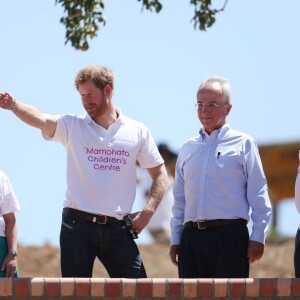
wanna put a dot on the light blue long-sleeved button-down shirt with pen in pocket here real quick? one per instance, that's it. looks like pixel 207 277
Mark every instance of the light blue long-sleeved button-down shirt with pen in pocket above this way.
pixel 220 176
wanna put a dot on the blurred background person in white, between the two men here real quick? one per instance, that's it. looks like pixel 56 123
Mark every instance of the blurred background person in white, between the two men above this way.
pixel 159 225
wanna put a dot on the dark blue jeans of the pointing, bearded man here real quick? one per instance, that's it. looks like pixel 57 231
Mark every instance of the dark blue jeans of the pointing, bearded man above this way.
pixel 81 242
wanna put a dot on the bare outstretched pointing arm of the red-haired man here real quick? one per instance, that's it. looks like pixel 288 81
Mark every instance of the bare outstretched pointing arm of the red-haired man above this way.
pixel 29 114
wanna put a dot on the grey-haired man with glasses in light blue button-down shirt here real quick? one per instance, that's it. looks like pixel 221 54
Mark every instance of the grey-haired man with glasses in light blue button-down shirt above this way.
pixel 219 178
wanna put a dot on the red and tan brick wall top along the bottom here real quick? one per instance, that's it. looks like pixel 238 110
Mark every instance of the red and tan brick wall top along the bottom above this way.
pixel 251 288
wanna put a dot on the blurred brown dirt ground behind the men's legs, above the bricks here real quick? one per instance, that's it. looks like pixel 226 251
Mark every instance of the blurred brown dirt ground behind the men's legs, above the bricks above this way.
pixel 44 261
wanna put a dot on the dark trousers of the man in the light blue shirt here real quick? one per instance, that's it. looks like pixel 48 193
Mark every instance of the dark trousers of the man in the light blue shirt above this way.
pixel 215 252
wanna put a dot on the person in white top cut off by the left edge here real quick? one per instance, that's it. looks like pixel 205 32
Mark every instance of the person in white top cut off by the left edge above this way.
pixel 8 228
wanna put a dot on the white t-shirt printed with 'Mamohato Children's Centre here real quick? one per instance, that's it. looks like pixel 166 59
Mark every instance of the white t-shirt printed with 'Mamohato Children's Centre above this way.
pixel 101 164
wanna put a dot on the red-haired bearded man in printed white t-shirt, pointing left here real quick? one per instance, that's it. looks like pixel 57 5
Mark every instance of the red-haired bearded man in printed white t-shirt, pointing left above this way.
pixel 102 147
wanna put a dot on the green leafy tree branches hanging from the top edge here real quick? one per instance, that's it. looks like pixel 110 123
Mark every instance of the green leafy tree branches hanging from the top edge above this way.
pixel 83 17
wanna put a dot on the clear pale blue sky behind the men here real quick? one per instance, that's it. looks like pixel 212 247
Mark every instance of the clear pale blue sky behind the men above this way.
pixel 158 61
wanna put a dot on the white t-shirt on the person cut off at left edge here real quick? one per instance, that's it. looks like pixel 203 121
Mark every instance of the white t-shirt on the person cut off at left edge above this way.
pixel 8 200
